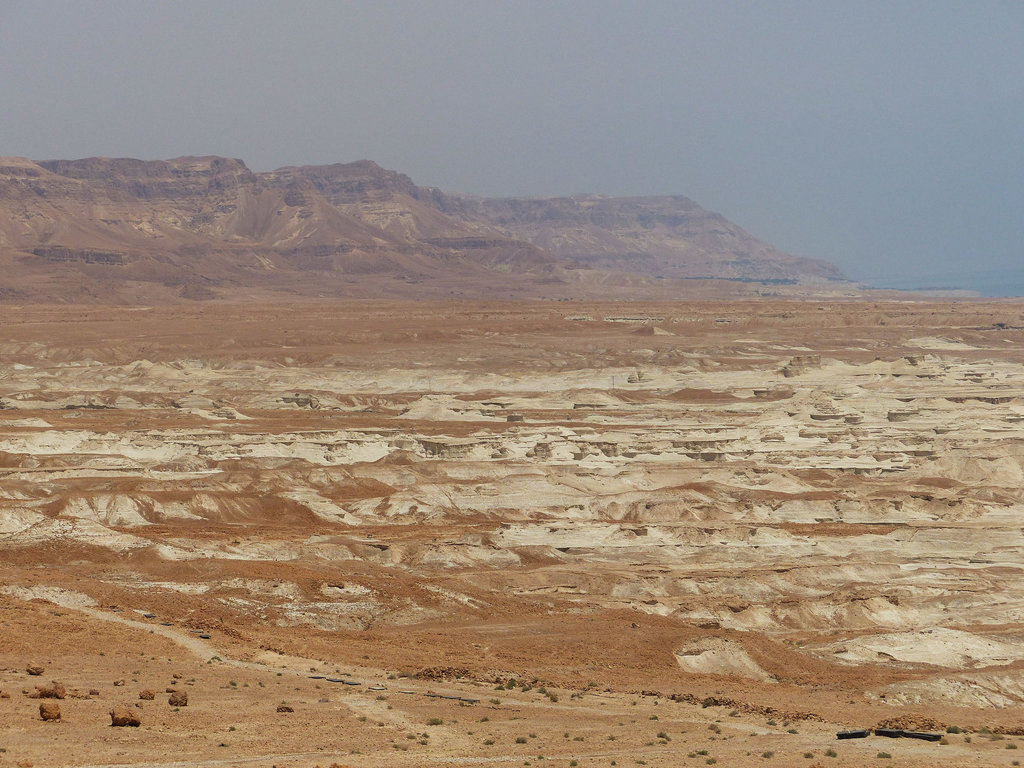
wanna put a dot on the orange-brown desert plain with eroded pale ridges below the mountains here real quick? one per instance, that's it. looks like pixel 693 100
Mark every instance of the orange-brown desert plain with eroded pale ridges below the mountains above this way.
pixel 549 534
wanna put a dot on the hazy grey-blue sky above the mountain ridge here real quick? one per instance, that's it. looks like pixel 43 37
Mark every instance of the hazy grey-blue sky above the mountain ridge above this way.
pixel 885 137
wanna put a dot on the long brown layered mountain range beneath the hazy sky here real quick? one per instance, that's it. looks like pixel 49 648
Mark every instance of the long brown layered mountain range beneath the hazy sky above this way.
pixel 126 230
